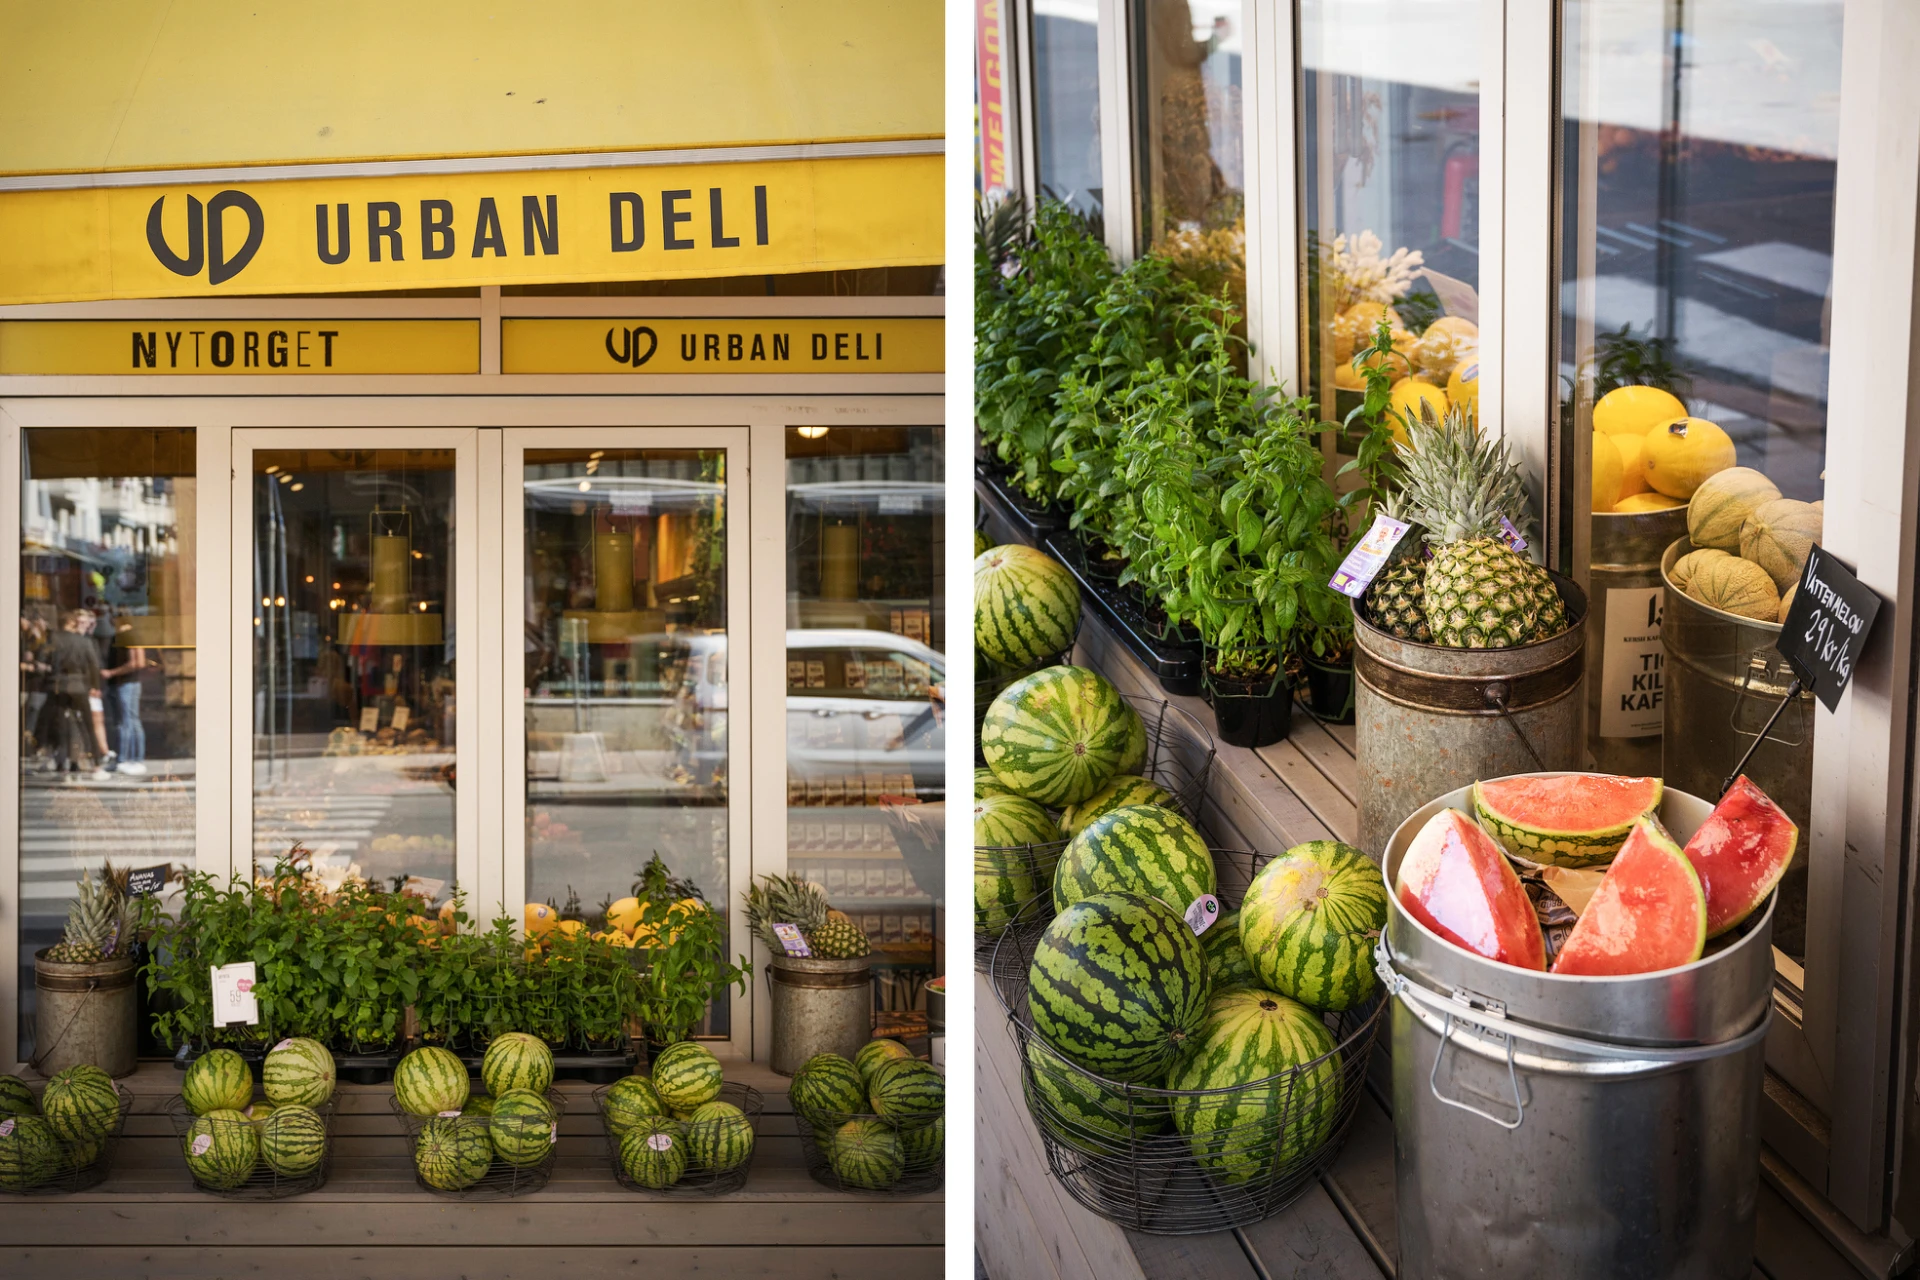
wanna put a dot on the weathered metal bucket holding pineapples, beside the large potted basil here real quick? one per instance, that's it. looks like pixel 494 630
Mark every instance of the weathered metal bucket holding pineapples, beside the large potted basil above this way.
pixel 1431 719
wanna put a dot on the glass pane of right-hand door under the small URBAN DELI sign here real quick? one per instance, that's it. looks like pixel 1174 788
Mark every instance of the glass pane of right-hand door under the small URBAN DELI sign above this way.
pixel 627 678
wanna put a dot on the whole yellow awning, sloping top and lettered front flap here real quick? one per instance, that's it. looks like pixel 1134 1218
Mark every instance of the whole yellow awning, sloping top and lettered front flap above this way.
pixel 206 149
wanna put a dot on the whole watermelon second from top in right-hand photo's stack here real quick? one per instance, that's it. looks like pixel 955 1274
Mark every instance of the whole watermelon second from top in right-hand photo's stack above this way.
pixel 1057 736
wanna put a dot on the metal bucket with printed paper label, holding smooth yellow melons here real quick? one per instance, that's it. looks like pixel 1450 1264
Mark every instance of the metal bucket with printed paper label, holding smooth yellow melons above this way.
pixel 1623 640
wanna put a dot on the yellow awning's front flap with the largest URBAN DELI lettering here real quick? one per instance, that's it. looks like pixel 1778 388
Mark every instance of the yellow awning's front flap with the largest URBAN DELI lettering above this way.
pixel 469 229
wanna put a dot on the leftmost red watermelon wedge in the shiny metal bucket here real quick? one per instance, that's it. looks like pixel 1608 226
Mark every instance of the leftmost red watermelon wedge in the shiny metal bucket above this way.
pixel 1456 882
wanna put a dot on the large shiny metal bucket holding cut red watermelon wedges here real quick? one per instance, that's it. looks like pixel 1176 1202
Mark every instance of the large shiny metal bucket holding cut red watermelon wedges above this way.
pixel 1575 1127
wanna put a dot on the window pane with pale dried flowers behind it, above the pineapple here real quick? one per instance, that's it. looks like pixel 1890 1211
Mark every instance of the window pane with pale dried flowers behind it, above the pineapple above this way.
pixel 1391 99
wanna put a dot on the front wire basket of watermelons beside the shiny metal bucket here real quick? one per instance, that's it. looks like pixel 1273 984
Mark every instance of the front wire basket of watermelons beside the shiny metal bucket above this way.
pixel 1184 1162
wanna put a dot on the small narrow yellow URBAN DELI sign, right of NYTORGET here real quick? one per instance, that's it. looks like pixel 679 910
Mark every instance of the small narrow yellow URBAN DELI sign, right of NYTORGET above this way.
pixel 702 346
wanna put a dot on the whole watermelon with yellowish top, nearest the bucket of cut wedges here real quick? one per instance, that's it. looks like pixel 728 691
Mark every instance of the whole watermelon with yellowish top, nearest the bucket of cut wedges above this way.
pixel 1310 920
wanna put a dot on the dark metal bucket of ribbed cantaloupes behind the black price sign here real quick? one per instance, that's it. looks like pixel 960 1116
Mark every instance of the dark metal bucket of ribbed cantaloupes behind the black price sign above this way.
pixel 1725 678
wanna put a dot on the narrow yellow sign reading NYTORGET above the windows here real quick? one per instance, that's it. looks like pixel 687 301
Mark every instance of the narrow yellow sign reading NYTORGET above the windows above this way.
pixel 239 346
